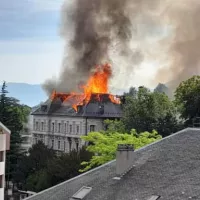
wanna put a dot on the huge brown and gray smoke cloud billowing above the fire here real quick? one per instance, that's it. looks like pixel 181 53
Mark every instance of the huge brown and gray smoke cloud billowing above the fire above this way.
pixel 126 34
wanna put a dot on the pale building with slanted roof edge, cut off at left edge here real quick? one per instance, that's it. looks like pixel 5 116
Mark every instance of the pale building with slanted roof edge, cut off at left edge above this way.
pixel 4 146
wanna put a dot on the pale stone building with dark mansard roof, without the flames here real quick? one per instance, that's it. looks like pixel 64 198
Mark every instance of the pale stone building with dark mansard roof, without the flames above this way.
pixel 59 126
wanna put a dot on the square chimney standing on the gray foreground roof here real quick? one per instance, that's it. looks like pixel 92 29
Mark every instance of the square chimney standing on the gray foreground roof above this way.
pixel 124 158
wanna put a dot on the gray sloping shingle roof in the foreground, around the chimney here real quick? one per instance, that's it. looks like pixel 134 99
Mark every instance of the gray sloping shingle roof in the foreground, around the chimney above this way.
pixel 169 168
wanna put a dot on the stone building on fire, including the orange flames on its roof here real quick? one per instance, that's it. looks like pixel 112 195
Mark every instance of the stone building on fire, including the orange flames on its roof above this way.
pixel 64 117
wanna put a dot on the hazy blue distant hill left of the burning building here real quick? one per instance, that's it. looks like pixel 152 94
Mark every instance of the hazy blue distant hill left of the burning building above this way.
pixel 28 94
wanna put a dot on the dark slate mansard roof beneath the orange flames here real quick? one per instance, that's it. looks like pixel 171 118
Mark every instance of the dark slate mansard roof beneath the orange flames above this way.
pixel 102 109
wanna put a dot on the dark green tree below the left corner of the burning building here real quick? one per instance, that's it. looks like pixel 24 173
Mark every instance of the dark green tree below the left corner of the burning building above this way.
pixel 31 170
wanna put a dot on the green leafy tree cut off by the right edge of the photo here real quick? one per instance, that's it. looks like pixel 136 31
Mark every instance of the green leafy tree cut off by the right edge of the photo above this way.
pixel 187 98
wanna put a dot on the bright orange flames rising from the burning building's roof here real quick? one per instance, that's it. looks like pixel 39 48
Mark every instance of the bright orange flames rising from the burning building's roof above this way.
pixel 96 84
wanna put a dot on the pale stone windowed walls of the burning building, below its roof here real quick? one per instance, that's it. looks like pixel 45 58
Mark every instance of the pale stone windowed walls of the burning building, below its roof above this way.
pixel 62 133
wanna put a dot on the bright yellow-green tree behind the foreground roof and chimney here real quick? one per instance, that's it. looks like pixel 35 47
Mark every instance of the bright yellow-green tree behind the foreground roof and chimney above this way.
pixel 104 145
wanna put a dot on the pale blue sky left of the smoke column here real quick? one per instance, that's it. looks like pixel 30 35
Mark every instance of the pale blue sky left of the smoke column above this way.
pixel 31 48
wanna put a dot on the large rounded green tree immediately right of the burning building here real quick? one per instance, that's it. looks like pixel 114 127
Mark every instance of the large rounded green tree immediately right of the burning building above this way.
pixel 148 110
